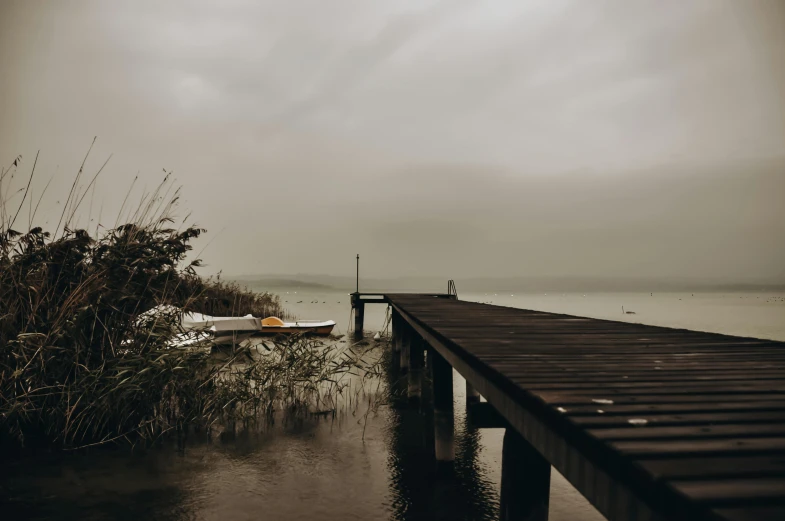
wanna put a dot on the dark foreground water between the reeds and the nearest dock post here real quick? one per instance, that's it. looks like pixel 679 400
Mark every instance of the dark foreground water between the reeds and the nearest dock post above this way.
pixel 302 468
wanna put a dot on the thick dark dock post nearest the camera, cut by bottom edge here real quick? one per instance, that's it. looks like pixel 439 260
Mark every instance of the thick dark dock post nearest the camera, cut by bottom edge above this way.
pixel 526 480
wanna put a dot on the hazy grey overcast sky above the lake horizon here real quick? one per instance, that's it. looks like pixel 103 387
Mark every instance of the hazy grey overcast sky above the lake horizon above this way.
pixel 455 138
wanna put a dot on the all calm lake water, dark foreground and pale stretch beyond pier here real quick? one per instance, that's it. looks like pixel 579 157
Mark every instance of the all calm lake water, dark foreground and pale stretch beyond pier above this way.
pixel 322 468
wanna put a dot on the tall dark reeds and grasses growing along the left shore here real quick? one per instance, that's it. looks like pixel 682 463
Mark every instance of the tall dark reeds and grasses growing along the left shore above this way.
pixel 78 369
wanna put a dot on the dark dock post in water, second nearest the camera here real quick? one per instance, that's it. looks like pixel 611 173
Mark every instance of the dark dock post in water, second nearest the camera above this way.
pixel 443 417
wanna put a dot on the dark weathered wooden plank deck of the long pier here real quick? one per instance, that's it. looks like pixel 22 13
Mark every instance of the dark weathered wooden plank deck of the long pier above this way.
pixel 646 422
